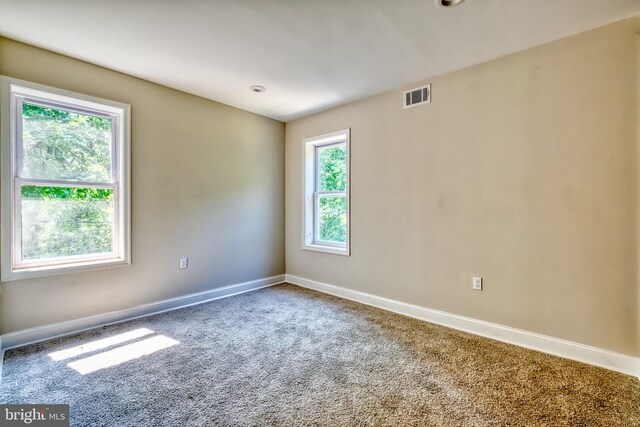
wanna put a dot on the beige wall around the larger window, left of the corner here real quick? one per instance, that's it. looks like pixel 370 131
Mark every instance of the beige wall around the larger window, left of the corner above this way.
pixel 207 183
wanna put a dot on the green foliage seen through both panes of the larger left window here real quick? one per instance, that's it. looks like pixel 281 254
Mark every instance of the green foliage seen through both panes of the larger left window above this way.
pixel 65 221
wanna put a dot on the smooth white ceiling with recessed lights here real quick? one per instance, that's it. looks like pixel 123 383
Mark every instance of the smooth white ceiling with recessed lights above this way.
pixel 309 54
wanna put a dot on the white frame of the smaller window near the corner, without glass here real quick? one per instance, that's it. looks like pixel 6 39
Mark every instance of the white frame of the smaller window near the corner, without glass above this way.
pixel 311 195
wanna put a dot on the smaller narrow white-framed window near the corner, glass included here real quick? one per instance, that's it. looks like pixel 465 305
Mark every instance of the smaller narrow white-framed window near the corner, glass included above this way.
pixel 326 193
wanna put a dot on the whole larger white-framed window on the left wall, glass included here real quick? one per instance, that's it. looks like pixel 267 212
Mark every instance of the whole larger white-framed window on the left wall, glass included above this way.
pixel 65 181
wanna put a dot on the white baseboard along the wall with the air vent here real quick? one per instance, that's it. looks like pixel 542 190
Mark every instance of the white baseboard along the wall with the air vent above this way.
pixel 570 350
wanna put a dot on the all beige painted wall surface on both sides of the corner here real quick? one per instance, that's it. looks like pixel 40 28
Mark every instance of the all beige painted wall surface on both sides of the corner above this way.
pixel 523 170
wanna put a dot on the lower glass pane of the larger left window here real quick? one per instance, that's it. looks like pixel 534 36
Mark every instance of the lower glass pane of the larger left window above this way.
pixel 59 222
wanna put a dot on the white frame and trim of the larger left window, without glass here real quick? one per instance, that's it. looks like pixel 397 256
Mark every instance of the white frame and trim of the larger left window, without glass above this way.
pixel 13 93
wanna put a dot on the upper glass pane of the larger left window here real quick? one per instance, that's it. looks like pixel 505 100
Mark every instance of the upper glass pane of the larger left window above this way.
pixel 61 145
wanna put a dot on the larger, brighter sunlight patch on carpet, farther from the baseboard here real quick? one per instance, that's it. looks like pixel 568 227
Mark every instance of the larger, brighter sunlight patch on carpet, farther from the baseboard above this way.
pixel 122 354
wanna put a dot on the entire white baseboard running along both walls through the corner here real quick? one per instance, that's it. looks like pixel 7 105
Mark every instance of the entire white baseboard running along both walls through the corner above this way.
pixel 571 350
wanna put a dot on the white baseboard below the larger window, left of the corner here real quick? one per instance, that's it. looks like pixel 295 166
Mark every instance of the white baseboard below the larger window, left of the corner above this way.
pixel 42 333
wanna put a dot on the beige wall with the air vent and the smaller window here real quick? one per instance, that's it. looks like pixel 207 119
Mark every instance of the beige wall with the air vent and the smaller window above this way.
pixel 523 170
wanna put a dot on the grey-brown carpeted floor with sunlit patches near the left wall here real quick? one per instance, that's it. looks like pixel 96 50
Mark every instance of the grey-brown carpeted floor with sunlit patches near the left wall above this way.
pixel 289 356
